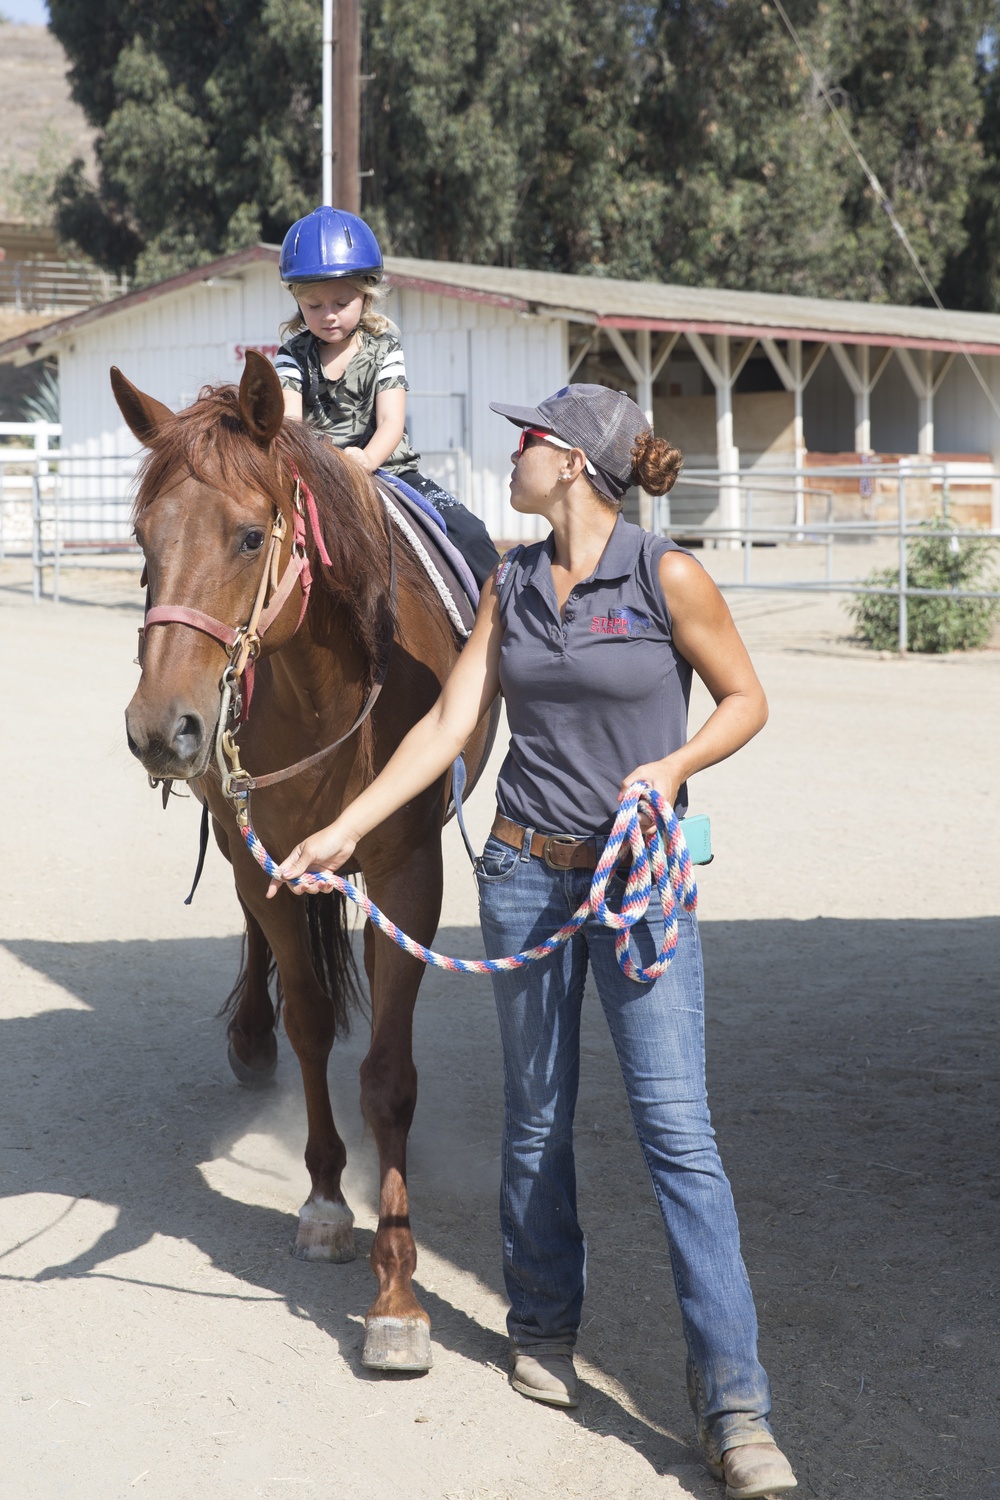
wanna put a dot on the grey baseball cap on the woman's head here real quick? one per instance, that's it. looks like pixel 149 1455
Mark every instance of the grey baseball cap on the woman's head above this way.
pixel 602 422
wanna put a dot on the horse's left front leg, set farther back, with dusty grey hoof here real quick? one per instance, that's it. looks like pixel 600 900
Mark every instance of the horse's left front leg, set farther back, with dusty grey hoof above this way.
pixel 326 1223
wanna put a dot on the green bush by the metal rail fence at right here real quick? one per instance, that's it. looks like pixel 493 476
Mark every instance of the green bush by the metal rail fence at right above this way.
pixel 935 560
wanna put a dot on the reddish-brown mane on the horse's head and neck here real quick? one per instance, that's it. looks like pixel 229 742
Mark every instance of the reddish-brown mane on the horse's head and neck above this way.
pixel 209 442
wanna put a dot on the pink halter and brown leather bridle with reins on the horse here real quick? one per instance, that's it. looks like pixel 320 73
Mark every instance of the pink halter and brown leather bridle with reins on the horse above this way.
pixel 244 644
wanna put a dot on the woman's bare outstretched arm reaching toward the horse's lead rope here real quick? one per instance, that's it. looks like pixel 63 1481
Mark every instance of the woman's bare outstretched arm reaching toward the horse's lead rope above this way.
pixel 425 754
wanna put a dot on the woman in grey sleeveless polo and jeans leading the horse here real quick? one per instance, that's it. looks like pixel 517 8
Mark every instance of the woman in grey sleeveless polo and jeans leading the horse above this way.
pixel 593 637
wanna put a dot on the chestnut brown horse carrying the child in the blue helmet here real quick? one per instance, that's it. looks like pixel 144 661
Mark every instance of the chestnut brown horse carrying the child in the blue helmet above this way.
pixel 217 484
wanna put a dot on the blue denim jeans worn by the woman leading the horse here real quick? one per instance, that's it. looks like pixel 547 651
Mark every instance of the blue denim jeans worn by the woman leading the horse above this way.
pixel 659 1034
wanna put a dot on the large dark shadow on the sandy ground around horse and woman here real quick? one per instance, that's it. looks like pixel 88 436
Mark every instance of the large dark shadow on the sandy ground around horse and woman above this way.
pixel 854 1076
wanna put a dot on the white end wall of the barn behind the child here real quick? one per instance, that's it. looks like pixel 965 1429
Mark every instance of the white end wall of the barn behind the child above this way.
pixel 460 358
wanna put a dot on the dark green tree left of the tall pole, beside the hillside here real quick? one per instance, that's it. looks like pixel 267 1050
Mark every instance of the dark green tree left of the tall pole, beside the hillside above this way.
pixel 209 119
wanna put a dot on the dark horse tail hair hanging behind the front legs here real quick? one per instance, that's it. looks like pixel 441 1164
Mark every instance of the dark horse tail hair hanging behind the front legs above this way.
pixel 332 958
